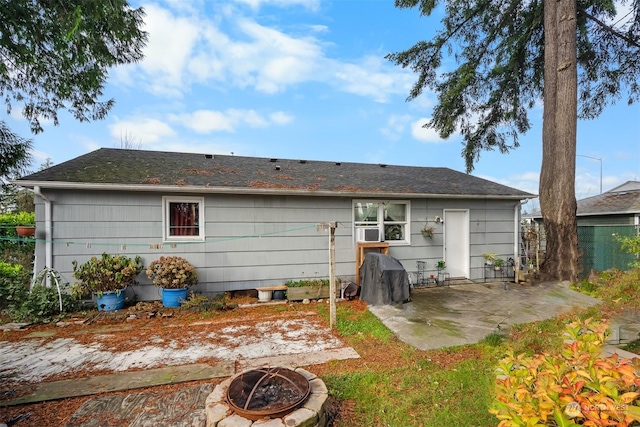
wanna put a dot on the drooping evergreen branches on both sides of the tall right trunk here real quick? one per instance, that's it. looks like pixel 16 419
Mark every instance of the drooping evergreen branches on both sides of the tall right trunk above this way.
pixel 486 65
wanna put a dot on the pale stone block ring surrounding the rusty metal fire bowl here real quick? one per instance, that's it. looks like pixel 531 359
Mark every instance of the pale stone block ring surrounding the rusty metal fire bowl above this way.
pixel 310 412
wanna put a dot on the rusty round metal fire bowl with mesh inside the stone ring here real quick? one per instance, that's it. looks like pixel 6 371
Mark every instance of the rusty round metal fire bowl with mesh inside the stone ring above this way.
pixel 267 393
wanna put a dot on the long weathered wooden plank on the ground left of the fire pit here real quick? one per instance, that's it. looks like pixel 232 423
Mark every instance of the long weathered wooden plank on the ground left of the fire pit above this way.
pixel 123 381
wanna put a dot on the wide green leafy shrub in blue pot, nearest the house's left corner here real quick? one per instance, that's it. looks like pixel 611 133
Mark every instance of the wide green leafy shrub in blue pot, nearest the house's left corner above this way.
pixel 106 277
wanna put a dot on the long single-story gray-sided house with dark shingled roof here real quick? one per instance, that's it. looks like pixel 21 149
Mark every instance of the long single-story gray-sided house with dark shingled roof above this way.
pixel 248 222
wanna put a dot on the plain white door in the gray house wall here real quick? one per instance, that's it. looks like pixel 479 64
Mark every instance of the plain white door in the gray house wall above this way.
pixel 456 242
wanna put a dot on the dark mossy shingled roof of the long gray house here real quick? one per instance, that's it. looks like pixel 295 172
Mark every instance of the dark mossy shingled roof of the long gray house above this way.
pixel 141 170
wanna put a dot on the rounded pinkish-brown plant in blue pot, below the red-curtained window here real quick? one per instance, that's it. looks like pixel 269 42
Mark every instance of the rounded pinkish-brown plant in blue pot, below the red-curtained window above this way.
pixel 173 275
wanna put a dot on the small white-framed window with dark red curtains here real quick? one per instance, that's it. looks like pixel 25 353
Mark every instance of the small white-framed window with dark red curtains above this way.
pixel 183 218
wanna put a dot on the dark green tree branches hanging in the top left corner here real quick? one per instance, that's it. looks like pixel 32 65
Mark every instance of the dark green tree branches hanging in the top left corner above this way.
pixel 57 54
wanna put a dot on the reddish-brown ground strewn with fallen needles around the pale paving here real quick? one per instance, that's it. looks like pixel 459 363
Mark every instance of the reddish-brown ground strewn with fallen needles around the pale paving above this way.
pixel 167 329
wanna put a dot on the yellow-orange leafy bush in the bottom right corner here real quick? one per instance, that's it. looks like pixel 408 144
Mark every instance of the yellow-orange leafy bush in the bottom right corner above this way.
pixel 576 387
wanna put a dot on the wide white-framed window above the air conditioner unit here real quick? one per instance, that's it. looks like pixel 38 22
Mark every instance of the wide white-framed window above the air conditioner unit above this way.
pixel 390 217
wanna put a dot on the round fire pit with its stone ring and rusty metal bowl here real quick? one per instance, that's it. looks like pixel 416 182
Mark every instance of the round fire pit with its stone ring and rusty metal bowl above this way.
pixel 287 397
